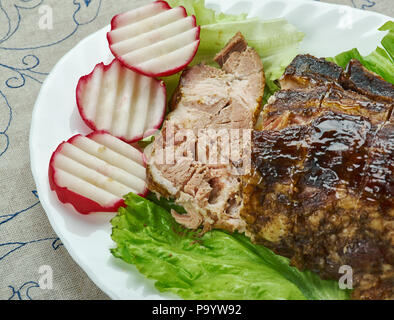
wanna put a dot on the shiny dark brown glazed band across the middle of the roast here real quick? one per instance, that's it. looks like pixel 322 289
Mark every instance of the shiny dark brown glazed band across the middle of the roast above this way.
pixel 335 152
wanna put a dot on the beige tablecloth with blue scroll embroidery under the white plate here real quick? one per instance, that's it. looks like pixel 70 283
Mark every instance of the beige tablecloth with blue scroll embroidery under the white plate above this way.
pixel 27 55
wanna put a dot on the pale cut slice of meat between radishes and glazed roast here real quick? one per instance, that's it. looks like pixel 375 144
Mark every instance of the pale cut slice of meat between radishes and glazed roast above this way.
pixel 208 98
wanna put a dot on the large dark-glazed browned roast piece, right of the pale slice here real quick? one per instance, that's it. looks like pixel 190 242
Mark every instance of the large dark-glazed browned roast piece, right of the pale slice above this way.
pixel 321 190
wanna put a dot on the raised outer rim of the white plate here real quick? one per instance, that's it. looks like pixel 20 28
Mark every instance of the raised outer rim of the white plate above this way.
pixel 111 293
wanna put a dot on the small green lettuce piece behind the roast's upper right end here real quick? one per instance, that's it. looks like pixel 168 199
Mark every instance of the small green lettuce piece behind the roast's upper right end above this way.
pixel 380 61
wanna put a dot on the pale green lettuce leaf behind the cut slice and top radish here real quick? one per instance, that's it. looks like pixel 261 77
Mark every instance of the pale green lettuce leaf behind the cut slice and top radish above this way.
pixel 276 41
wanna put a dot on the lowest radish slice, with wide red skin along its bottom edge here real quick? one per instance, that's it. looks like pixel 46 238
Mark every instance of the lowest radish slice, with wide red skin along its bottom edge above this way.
pixel 95 172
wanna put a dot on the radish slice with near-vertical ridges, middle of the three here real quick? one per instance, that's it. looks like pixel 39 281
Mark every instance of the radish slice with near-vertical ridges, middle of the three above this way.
pixel 121 102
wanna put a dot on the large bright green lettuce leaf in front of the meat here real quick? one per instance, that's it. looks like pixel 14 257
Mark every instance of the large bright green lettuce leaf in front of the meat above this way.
pixel 216 265
